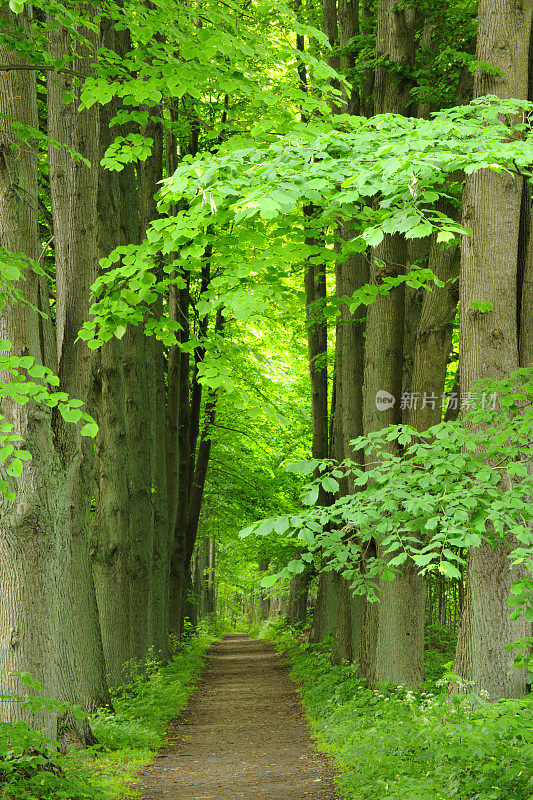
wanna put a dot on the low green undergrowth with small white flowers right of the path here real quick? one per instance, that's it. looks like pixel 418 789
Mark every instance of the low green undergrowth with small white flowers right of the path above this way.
pixel 401 745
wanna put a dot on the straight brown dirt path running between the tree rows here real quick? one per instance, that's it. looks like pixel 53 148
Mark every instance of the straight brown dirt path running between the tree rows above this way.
pixel 243 736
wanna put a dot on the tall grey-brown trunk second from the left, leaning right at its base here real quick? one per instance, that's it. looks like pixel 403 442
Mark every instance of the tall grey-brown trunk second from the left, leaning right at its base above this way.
pixel 73 192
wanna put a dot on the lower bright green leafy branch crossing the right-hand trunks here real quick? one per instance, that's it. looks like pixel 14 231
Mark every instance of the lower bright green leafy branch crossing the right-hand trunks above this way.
pixel 438 494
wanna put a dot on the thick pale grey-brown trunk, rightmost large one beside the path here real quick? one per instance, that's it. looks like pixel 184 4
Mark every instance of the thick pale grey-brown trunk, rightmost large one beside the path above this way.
pixel 489 342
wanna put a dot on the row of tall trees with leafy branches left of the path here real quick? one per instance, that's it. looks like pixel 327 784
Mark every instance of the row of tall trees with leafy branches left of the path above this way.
pixel 97 106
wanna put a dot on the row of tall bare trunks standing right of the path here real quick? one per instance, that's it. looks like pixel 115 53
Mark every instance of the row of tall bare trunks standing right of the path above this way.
pixel 408 340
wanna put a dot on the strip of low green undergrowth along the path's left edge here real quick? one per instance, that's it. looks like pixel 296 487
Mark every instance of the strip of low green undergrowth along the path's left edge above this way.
pixel 128 738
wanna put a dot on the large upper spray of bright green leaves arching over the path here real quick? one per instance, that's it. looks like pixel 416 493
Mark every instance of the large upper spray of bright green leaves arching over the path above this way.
pixel 244 203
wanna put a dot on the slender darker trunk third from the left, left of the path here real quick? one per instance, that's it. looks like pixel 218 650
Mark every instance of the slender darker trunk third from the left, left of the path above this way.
pixel 110 525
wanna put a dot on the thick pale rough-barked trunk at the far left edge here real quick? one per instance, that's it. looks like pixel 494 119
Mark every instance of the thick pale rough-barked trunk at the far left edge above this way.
pixel 36 546
